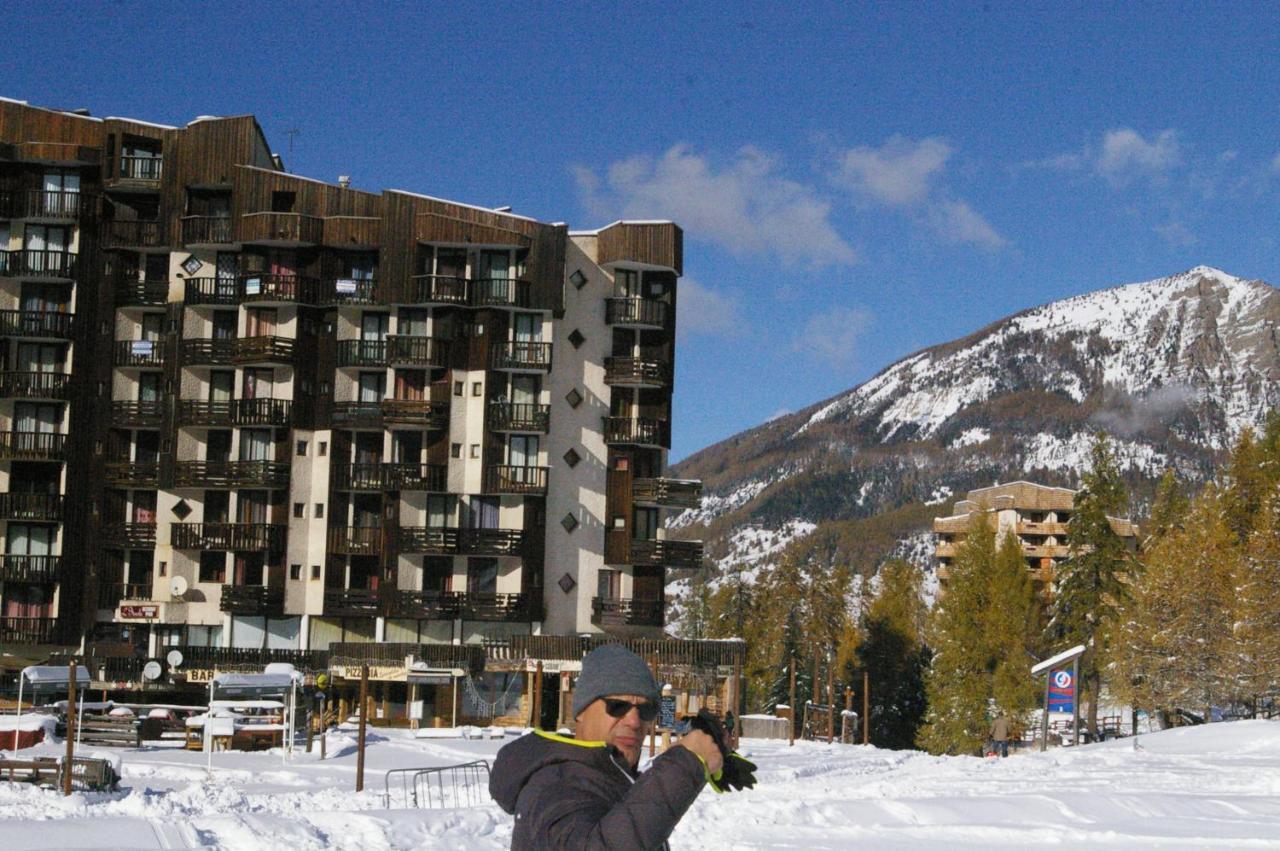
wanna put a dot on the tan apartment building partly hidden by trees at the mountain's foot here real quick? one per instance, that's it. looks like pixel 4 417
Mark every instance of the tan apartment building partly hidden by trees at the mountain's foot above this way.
pixel 1036 514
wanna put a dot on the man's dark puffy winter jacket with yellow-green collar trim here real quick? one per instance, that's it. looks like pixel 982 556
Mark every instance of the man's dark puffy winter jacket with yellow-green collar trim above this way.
pixel 569 794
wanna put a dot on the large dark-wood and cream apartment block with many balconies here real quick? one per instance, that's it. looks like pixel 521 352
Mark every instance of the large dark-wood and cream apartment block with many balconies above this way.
pixel 245 409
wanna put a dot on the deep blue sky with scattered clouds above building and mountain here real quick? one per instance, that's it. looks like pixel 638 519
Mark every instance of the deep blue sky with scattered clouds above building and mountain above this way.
pixel 854 182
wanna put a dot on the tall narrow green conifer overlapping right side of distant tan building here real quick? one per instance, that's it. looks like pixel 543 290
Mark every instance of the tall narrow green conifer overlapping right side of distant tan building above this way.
pixel 1094 583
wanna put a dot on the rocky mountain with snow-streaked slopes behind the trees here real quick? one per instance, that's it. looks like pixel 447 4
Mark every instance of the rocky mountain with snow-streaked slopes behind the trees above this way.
pixel 1173 369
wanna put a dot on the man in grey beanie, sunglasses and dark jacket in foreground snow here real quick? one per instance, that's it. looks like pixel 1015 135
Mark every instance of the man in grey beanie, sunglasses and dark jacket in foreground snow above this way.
pixel 584 791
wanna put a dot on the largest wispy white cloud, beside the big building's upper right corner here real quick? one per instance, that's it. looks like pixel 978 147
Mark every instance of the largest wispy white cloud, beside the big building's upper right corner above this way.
pixel 747 205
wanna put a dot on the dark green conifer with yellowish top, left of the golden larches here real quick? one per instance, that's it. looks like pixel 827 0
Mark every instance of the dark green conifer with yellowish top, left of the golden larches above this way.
pixel 894 655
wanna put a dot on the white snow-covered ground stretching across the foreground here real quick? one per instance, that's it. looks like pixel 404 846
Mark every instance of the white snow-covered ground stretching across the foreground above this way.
pixel 1215 786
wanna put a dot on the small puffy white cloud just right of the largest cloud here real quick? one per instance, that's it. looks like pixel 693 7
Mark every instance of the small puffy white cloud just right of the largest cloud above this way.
pixel 899 173
